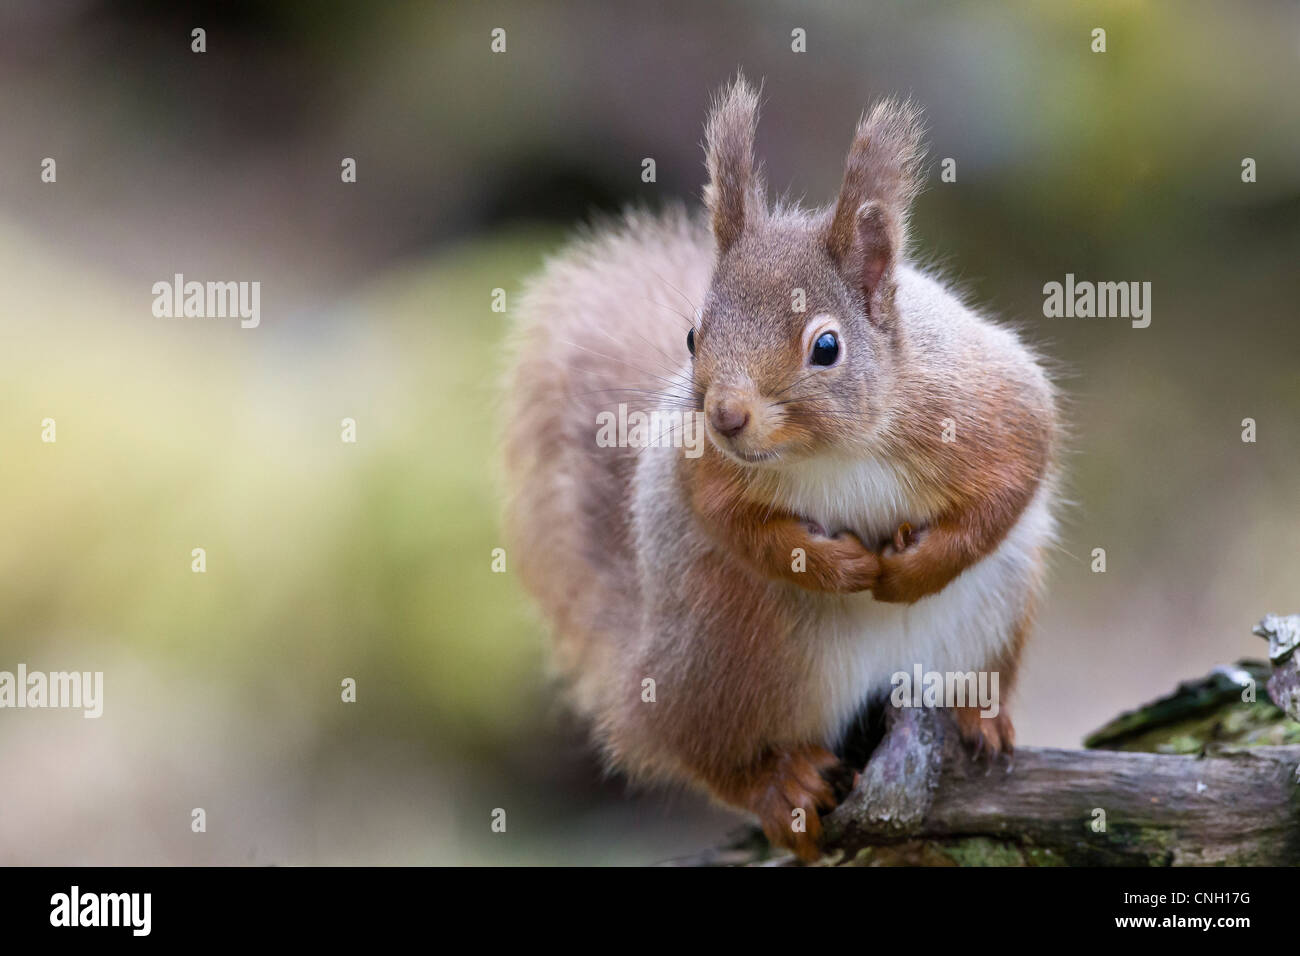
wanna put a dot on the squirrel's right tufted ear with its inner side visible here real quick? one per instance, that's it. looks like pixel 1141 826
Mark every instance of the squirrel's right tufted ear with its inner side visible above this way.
pixel 882 176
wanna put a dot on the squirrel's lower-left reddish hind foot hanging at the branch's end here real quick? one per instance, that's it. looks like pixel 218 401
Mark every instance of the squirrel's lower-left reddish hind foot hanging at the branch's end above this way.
pixel 792 791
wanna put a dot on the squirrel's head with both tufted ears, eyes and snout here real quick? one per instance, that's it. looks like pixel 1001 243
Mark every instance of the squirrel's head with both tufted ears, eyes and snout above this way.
pixel 794 347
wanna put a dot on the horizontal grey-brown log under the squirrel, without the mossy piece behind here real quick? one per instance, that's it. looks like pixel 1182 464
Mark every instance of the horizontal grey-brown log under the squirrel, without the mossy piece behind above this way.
pixel 922 801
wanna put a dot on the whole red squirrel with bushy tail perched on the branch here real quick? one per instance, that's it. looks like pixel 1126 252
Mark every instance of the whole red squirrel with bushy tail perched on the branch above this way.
pixel 877 490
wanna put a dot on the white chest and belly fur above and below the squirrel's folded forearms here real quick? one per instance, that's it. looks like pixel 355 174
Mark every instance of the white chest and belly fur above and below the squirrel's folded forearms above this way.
pixel 859 643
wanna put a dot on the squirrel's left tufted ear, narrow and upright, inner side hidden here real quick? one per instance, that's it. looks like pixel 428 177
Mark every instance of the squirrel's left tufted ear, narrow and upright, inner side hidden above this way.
pixel 735 188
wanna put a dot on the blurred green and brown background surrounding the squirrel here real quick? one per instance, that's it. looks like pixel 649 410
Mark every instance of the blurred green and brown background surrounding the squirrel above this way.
pixel 372 561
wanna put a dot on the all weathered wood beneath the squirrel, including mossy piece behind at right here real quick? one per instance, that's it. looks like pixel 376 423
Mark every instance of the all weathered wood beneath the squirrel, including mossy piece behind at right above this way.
pixel 924 801
